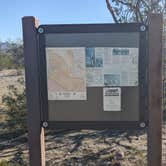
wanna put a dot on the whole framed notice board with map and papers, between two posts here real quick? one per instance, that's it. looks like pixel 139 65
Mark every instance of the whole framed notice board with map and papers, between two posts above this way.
pixel 91 75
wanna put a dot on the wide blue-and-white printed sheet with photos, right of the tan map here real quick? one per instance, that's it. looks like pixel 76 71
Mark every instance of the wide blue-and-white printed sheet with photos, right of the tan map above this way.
pixel 107 66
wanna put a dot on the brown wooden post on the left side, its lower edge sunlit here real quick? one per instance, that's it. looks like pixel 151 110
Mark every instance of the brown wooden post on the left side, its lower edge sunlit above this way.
pixel 35 131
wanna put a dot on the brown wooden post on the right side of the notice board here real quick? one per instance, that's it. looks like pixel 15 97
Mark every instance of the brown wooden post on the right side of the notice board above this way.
pixel 155 91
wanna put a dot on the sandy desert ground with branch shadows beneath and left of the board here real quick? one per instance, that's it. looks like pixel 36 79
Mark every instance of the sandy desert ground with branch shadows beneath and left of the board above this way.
pixel 74 147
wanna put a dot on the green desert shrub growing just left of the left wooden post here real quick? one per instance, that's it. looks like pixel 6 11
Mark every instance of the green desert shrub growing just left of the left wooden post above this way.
pixel 16 107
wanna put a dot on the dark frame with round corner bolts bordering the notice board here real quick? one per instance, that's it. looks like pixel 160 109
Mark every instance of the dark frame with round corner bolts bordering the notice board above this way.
pixel 97 28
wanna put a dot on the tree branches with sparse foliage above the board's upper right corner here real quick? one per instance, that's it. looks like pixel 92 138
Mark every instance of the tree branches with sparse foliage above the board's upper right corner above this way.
pixel 123 11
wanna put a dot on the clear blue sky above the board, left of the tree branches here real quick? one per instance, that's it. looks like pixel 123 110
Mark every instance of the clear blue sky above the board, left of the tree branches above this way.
pixel 49 12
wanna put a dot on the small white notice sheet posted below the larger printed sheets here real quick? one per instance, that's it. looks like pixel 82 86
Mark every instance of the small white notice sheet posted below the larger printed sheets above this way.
pixel 112 99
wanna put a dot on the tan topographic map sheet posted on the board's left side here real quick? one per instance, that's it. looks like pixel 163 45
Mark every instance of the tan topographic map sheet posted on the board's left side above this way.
pixel 66 73
